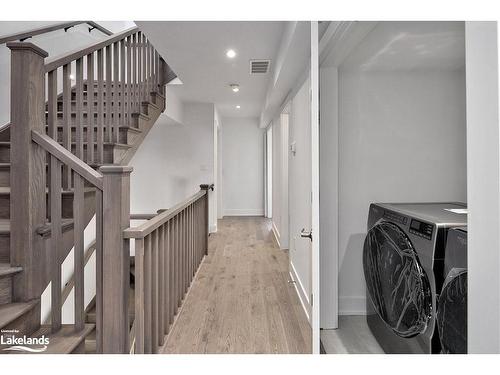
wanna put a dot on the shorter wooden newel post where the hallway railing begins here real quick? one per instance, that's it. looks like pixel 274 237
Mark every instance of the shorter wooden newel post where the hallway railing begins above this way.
pixel 115 259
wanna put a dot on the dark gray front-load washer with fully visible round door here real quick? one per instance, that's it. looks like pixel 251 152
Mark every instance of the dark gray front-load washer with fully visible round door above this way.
pixel 403 260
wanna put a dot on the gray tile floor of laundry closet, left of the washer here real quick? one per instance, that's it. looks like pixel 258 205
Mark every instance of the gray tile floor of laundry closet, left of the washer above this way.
pixel 352 337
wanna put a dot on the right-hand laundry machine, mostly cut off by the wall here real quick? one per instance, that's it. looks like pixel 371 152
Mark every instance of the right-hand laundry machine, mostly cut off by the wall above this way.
pixel 451 317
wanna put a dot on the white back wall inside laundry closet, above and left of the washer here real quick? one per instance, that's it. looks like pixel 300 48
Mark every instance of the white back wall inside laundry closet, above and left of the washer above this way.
pixel 401 138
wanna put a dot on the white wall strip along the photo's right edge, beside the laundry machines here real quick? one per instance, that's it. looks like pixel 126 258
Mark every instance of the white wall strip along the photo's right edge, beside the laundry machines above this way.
pixel 483 167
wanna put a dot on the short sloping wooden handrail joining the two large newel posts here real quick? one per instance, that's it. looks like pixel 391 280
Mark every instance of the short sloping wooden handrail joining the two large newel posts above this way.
pixel 67 158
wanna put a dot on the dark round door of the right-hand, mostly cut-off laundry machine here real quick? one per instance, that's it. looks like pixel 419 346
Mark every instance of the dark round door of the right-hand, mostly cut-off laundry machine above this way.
pixel 452 313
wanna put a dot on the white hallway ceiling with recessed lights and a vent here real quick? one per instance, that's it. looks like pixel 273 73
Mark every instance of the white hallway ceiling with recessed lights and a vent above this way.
pixel 196 51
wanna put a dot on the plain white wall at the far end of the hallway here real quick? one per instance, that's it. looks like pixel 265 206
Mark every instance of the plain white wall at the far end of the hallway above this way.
pixel 242 167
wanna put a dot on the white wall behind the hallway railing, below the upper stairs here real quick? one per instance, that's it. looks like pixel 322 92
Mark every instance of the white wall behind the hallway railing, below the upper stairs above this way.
pixel 173 160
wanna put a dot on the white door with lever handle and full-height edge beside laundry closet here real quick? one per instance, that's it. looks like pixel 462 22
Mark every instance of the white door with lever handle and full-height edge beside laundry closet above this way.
pixel 304 192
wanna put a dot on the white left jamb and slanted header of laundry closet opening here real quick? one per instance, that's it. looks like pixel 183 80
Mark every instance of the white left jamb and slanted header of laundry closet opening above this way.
pixel 337 42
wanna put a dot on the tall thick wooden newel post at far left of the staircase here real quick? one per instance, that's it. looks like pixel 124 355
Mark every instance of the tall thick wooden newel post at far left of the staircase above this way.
pixel 27 171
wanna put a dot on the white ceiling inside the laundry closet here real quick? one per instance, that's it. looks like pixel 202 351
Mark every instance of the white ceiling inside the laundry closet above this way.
pixel 393 46
